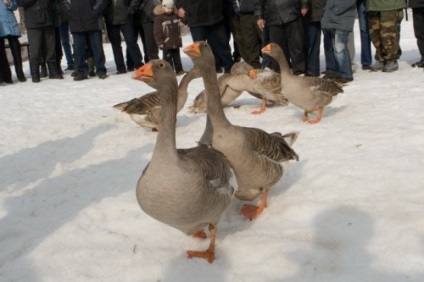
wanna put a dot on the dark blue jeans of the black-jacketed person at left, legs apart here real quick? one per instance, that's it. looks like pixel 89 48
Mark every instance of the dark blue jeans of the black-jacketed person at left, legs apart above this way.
pixel 95 40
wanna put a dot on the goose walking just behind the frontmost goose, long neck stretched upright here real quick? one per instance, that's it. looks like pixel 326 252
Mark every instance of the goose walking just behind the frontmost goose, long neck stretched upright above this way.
pixel 259 159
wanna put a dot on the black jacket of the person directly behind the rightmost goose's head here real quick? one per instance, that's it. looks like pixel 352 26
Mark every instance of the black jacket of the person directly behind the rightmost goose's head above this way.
pixel 276 12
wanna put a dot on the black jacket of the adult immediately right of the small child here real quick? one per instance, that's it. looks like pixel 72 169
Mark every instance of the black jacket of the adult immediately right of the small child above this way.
pixel 201 12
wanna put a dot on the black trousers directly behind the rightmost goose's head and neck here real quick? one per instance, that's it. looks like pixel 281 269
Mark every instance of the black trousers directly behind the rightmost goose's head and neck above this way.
pixel 290 37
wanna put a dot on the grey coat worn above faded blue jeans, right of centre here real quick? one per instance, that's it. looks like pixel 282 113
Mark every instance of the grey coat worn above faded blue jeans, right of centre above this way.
pixel 339 15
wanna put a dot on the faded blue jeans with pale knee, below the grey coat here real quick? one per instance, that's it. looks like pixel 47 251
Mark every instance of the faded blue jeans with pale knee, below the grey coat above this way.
pixel 337 56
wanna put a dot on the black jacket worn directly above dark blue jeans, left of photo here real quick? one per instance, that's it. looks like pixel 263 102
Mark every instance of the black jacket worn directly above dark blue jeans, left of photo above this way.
pixel 87 15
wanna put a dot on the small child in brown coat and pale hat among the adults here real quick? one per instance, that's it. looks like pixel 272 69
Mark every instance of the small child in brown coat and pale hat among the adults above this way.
pixel 167 34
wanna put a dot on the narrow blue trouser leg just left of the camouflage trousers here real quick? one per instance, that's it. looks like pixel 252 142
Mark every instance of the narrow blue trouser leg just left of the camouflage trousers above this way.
pixel 366 56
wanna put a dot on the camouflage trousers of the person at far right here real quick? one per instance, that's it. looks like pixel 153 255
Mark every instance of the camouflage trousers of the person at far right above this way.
pixel 384 27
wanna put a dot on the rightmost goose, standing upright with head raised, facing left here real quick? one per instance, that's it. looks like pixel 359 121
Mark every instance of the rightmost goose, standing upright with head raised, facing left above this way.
pixel 311 94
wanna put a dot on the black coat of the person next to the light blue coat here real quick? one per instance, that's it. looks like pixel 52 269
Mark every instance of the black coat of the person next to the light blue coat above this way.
pixel 37 13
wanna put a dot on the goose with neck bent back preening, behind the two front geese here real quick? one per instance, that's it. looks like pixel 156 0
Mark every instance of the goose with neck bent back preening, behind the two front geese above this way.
pixel 264 85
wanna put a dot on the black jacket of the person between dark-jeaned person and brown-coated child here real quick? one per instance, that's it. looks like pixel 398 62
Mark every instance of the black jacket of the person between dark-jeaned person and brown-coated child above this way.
pixel 121 11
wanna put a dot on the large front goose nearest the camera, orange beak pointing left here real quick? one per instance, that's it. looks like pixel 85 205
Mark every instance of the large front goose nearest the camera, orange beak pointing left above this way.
pixel 187 189
